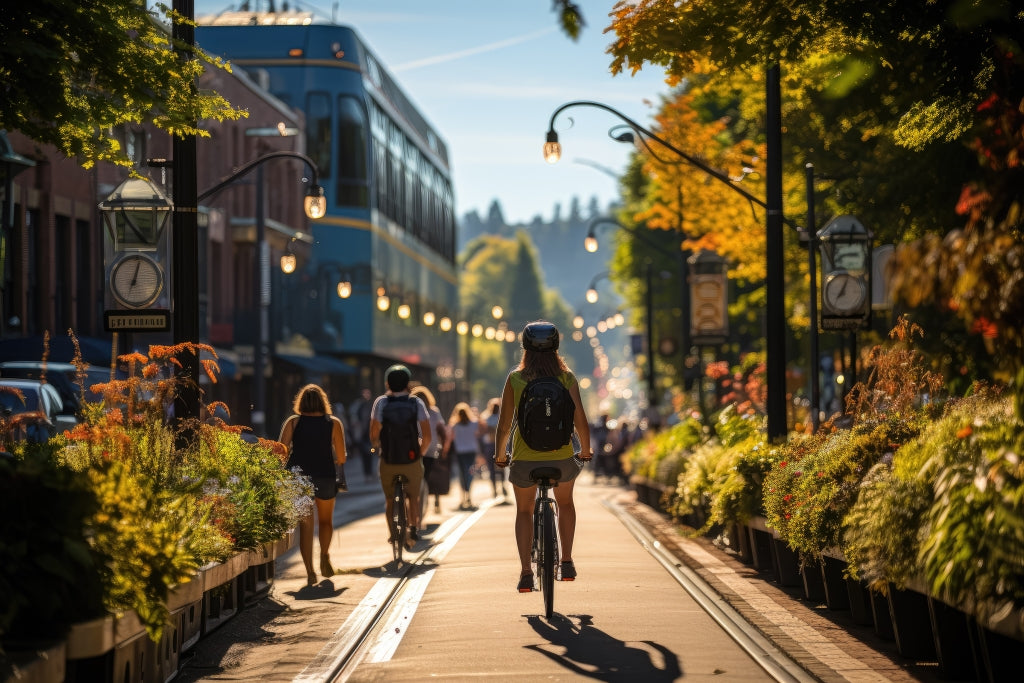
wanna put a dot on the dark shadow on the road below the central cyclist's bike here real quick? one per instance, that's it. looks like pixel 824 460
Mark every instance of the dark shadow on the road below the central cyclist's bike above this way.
pixel 588 652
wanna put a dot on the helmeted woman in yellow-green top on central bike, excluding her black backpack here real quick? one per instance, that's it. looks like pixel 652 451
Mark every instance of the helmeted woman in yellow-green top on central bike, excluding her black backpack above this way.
pixel 541 360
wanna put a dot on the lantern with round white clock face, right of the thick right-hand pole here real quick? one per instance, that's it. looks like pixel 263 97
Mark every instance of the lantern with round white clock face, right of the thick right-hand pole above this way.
pixel 846 268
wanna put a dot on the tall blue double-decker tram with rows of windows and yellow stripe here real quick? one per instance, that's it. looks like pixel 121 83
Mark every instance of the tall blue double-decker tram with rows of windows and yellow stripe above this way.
pixel 382 272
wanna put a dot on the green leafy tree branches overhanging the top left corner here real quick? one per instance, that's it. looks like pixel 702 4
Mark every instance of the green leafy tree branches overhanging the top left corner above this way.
pixel 73 72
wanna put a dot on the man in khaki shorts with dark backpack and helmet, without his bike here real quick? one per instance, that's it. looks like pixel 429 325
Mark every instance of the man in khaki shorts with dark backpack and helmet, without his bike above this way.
pixel 397 421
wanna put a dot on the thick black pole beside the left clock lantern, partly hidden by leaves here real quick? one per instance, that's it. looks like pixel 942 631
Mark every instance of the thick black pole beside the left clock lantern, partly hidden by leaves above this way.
pixel 185 242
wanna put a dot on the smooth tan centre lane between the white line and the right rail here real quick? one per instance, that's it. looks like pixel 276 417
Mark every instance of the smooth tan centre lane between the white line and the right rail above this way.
pixel 625 619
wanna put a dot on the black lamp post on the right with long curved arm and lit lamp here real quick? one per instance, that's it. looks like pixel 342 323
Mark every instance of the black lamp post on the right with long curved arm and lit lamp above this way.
pixel 776 333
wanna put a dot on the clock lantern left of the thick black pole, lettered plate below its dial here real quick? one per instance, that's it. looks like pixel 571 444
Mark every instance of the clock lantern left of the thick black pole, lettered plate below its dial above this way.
pixel 137 258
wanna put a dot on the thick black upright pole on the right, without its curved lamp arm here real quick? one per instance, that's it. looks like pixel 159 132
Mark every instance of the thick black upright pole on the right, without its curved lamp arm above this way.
pixel 776 309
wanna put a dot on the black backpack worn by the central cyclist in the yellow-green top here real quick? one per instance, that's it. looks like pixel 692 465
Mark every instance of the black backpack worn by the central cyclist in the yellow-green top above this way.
pixel 544 416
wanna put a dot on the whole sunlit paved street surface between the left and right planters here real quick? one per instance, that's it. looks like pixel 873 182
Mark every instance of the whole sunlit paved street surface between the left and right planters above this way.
pixel 627 618
